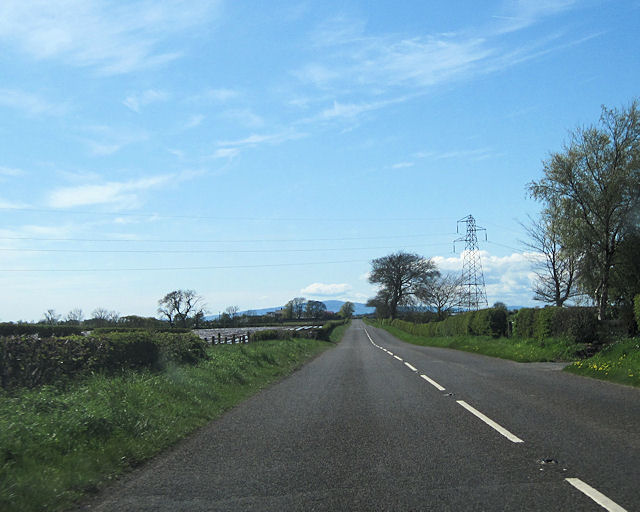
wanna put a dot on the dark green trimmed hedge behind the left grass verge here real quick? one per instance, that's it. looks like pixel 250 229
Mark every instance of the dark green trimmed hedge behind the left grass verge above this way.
pixel 31 362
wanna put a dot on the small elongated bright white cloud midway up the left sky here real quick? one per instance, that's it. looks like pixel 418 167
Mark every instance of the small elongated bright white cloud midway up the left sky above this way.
pixel 122 194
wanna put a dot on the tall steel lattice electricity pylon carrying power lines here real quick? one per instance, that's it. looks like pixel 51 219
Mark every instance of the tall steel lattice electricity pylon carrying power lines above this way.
pixel 473 295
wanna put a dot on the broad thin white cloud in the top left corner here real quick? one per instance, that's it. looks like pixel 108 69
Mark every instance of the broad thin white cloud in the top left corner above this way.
pixel 112 37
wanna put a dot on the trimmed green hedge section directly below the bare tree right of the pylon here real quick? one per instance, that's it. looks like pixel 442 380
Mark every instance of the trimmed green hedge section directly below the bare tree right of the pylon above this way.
pixel 578 324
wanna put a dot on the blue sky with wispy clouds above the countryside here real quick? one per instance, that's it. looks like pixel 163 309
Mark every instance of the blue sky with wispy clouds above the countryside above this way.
pixel 259 151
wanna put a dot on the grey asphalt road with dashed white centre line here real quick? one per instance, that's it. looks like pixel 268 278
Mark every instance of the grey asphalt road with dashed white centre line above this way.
pixel 359 428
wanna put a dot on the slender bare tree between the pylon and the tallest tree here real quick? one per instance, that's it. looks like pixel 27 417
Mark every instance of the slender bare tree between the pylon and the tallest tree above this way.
pixel 555 265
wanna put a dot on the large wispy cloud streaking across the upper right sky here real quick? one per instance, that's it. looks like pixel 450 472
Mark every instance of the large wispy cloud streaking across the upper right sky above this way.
pixel 381 69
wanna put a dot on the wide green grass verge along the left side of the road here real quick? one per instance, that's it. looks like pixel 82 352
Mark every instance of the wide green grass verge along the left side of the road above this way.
pixel 58 444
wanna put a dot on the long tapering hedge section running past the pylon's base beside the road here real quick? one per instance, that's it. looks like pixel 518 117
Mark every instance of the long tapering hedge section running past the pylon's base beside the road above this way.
pixel 485 322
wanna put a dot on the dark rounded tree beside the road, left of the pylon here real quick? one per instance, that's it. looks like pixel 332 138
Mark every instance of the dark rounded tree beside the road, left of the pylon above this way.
pixel 402 278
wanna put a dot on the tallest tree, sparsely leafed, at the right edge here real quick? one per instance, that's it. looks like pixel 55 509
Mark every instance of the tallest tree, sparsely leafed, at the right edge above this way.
pixel 592 189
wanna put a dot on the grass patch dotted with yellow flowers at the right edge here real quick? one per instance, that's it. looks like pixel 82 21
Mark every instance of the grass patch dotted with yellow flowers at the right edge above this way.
pixel 619 362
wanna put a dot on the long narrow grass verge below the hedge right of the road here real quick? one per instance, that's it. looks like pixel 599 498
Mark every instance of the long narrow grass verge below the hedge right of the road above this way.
pixel 520 350
